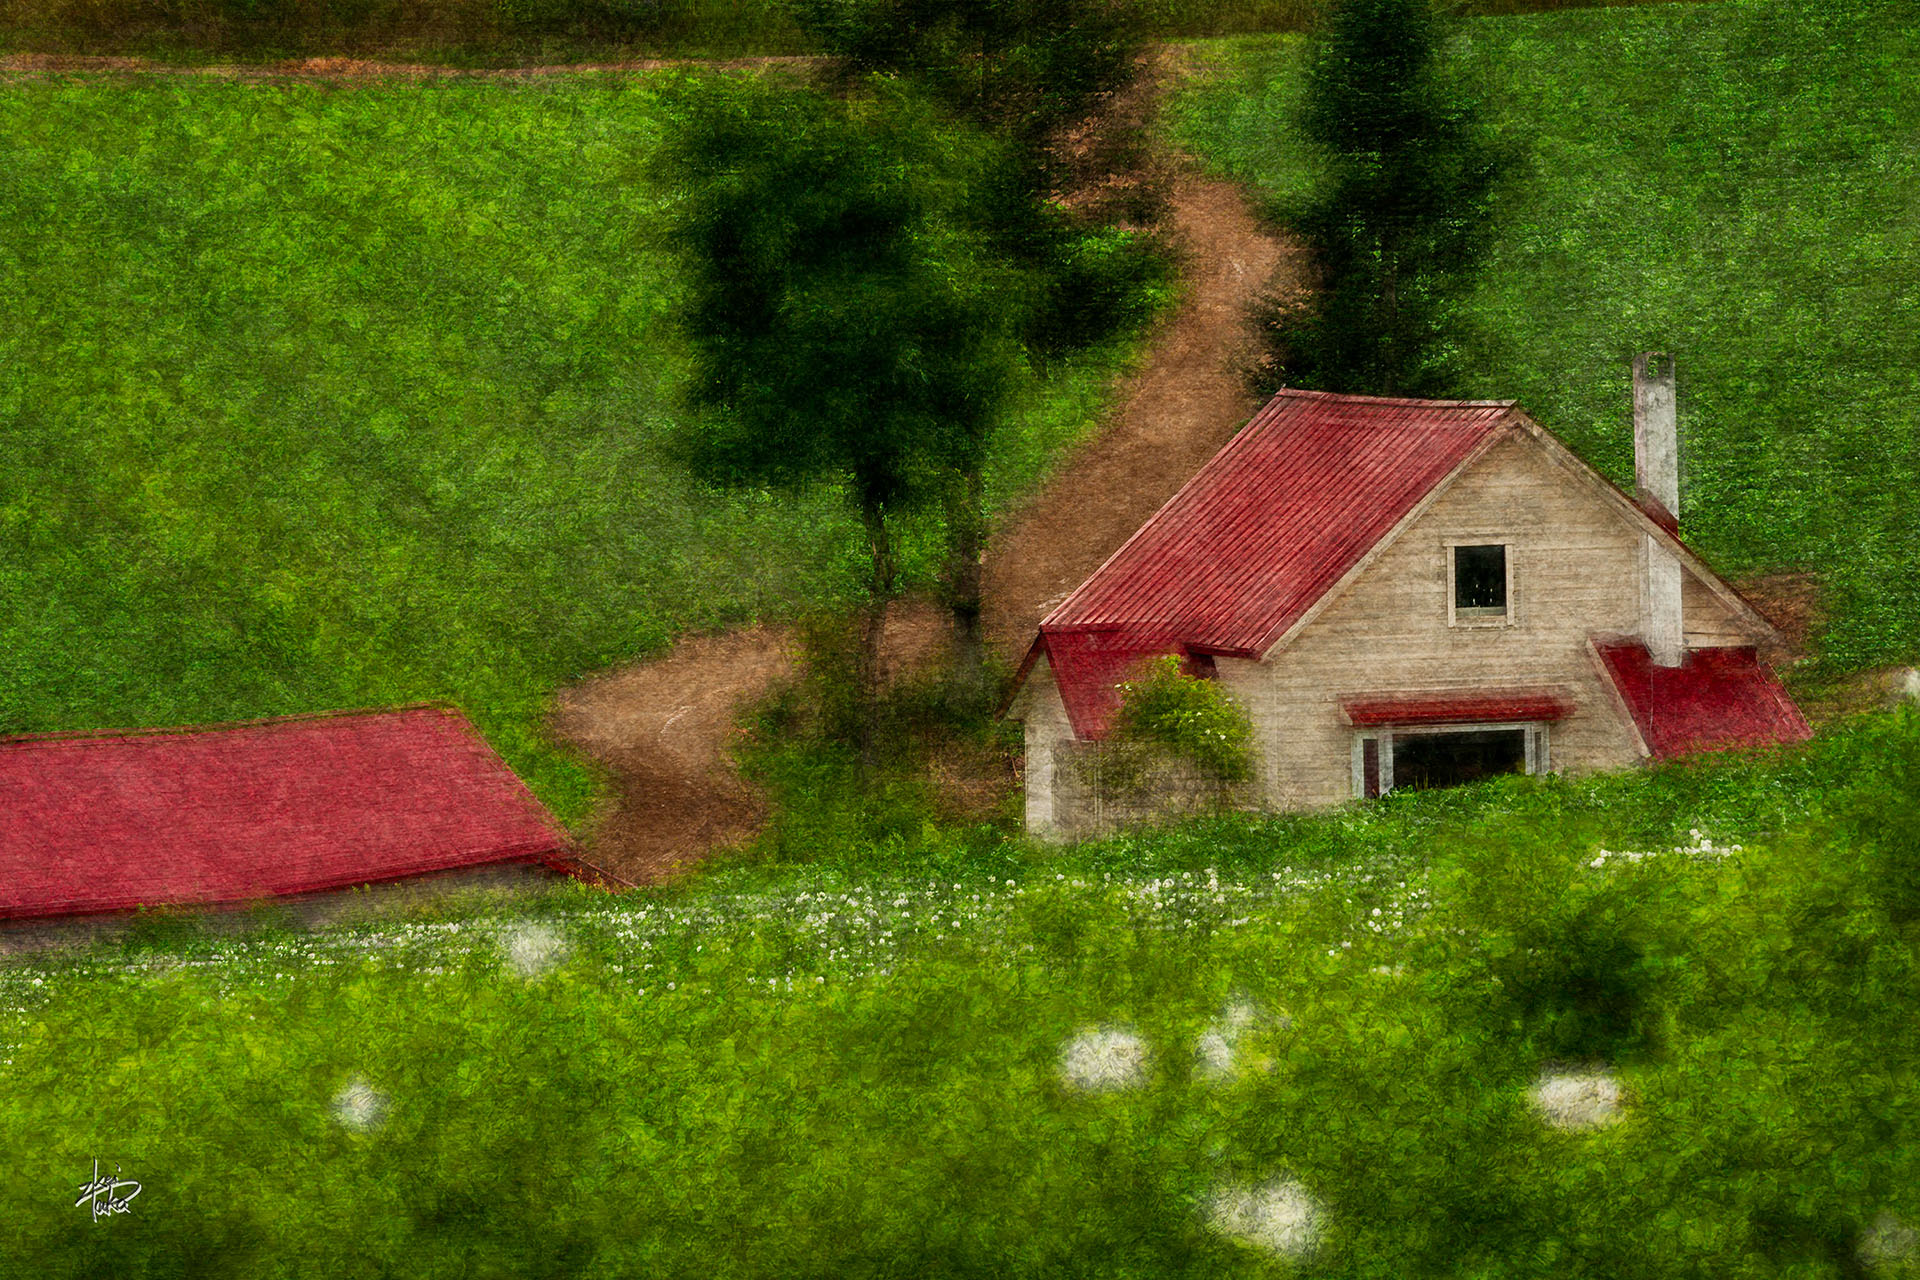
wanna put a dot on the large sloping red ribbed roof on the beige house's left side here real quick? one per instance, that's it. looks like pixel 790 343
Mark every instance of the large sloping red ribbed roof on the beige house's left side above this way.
pixel 1259 536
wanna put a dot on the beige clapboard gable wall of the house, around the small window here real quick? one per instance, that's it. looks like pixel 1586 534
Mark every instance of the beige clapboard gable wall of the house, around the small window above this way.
pixel 1575 571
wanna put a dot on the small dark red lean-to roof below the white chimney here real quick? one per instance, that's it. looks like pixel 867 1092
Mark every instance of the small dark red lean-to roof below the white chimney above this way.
pixel 1716 699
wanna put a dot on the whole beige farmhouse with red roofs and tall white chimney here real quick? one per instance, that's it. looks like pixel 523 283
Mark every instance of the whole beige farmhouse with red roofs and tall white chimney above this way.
pixel 1410 594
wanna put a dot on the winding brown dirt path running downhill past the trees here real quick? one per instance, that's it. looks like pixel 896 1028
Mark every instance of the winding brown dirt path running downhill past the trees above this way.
pixel 663 726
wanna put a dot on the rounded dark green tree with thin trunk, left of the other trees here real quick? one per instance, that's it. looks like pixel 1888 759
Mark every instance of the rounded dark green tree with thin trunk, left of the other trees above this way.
pixel 846 327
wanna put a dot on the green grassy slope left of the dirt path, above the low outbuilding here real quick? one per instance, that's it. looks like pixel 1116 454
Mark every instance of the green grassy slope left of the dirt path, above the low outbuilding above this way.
pixel 350 396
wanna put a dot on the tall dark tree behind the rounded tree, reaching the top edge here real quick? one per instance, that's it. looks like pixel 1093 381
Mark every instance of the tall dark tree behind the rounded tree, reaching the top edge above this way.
pixel 1034 76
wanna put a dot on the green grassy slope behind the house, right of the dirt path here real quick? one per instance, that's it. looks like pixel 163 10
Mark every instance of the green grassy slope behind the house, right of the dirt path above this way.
pixel 1733 183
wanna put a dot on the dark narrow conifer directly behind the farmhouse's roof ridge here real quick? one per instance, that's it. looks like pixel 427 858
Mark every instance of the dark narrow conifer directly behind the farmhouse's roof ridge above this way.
pixel 1401 218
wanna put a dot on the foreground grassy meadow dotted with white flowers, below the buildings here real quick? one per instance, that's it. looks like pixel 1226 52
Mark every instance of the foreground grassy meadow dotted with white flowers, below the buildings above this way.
pixel 1070 1066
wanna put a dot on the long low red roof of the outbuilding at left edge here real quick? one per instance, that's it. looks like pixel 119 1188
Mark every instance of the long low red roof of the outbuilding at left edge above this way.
pixel 231 815
